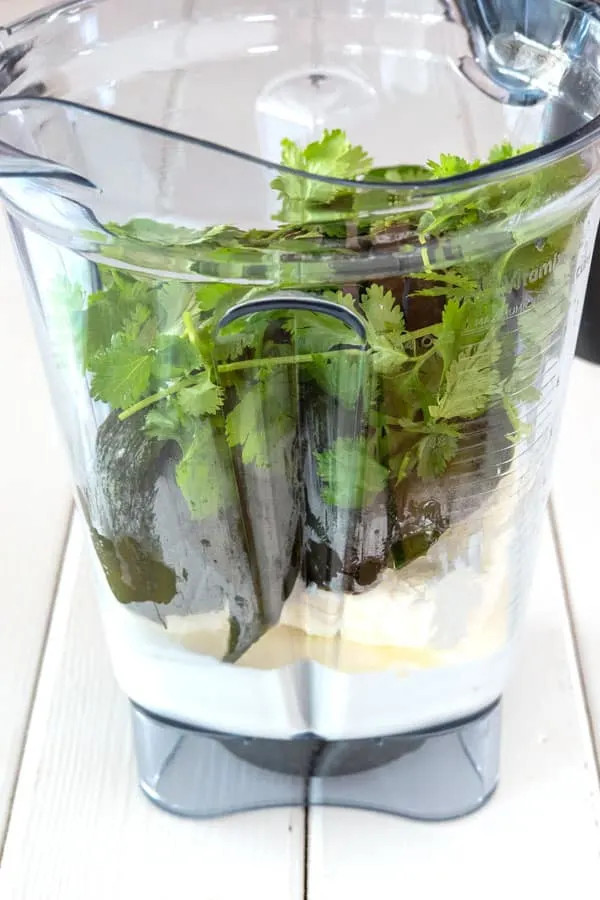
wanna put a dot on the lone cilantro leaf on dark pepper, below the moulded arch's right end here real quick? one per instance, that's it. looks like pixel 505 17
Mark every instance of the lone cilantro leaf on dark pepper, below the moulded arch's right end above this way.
pixel 351 477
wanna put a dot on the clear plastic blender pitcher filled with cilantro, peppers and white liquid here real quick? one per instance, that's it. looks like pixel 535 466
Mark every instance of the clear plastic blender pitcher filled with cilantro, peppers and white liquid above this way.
pixel 307 279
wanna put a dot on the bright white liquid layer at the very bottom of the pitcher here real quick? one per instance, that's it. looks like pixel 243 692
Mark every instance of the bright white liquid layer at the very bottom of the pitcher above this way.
pixel 303 697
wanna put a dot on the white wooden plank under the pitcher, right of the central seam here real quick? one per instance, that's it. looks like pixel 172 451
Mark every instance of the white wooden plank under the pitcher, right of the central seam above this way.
pixel 539 834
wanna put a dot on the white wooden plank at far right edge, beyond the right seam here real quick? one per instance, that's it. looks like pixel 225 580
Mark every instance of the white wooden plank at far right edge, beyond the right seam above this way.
pixel 576 499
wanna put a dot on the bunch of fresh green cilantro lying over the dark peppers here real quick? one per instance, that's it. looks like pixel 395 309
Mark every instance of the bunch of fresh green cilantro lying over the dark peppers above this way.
pixel 230 397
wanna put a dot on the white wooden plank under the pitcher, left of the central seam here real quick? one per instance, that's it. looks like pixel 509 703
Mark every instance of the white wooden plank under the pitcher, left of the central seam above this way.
pixel 80 825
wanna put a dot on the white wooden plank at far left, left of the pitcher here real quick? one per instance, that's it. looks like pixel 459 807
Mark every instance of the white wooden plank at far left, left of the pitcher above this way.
pixel 35 501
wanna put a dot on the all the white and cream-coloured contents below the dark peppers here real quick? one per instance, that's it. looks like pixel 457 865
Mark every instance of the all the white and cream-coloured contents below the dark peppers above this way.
pixel 429 644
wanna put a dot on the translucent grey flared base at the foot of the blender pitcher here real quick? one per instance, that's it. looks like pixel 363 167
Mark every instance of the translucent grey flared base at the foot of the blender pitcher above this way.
pixel 436 774
